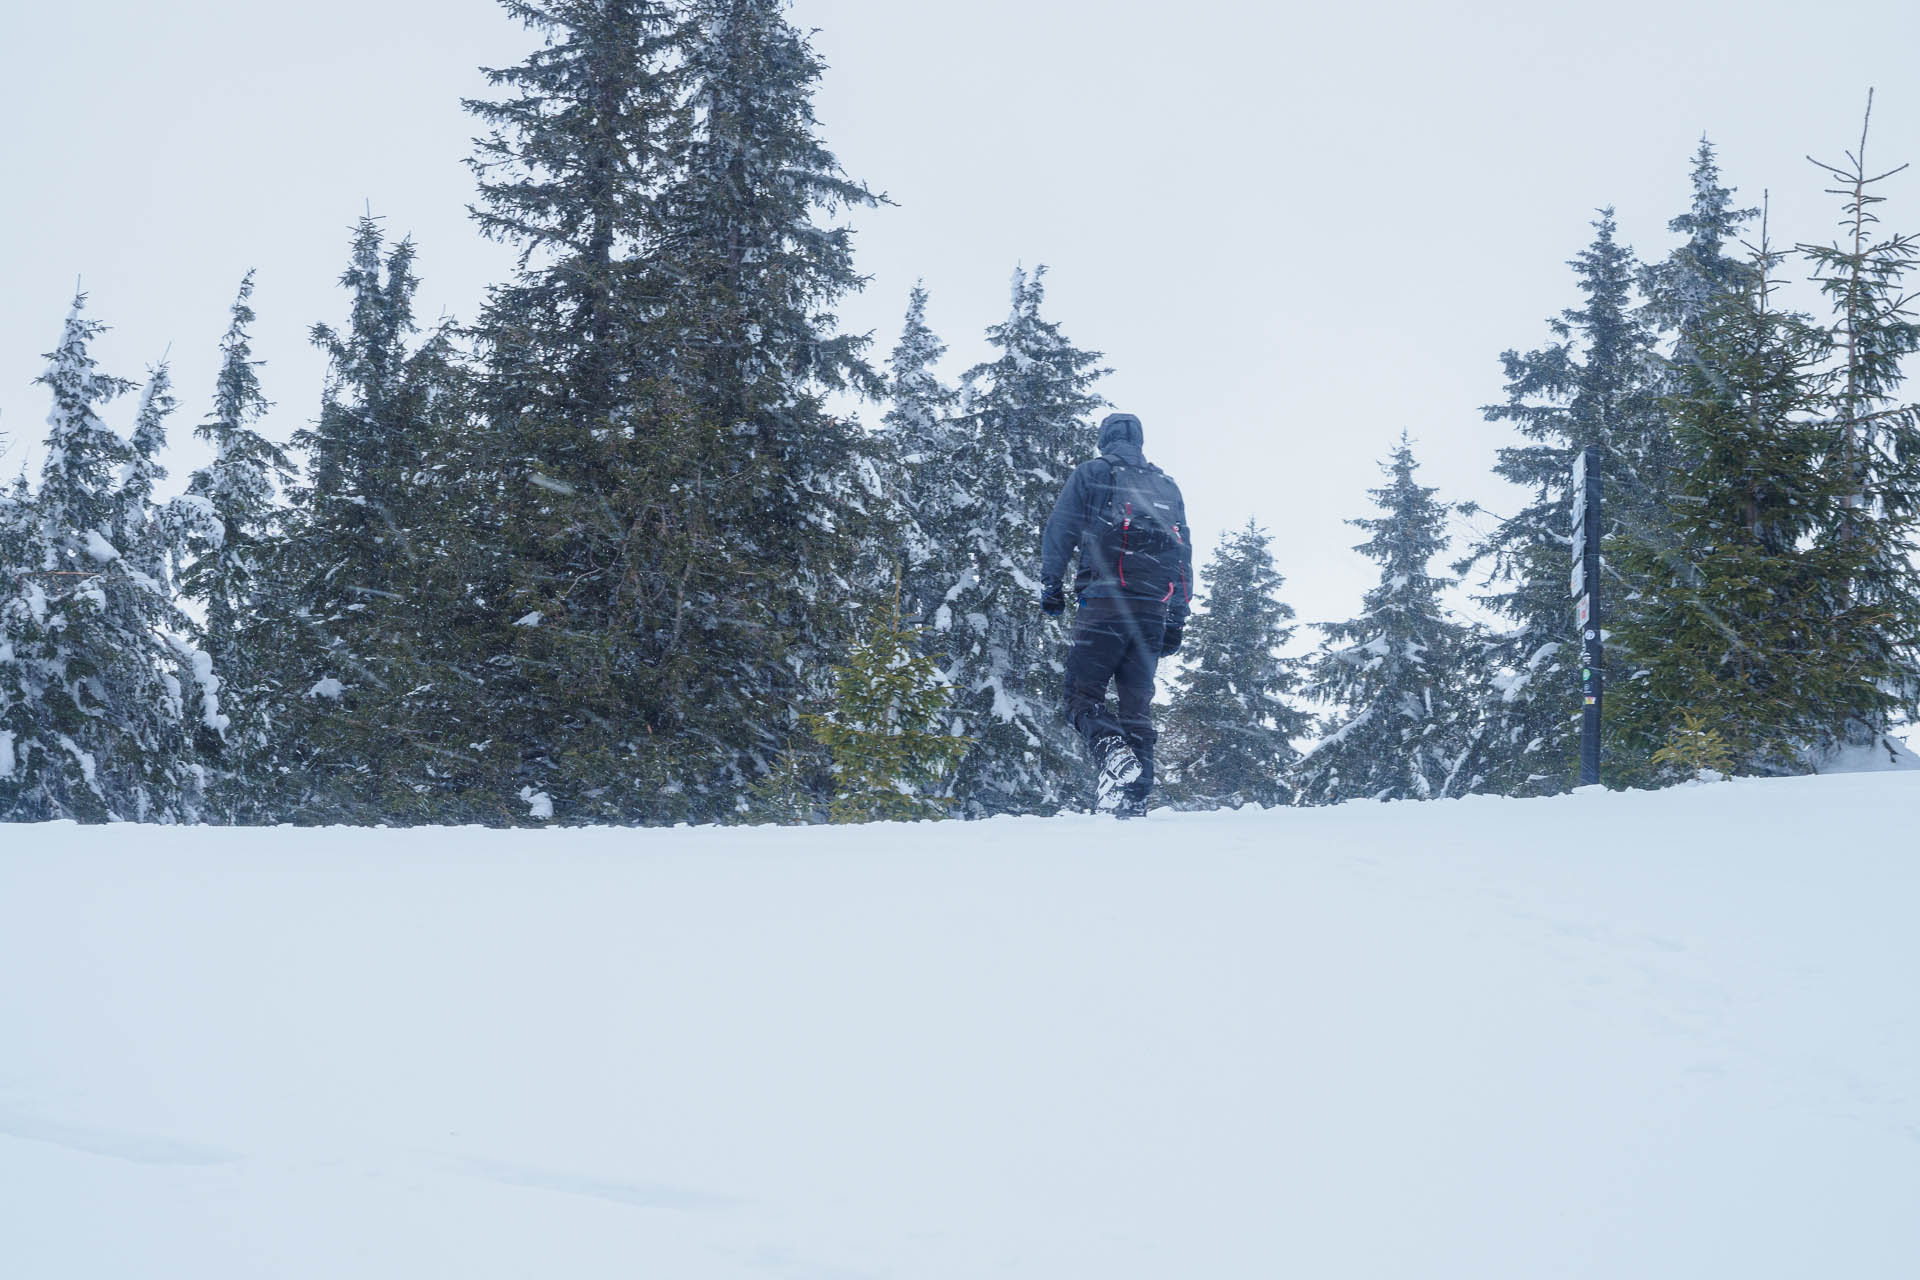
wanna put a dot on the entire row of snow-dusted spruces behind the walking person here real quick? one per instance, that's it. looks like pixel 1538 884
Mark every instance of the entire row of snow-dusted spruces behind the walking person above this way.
pixel 608 556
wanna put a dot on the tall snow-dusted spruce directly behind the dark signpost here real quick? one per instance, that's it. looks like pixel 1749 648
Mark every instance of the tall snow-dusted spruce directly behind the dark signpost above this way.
pixel 1598 385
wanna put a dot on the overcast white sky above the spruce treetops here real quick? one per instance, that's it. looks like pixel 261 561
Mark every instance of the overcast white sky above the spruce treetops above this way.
pixel 1291 231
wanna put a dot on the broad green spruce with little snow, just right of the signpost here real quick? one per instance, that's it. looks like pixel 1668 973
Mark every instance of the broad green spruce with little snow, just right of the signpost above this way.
pixel 1739 634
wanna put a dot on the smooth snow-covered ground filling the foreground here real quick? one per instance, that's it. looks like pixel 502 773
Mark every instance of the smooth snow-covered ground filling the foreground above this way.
pixel 1608 1035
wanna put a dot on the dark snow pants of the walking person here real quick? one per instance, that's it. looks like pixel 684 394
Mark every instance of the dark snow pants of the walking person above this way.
pixel 1116 642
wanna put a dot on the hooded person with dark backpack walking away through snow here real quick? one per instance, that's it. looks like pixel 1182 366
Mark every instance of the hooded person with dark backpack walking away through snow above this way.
pixel 1128 523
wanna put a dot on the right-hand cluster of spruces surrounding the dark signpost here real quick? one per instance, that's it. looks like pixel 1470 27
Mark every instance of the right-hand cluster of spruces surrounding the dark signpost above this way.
pixel 1764 492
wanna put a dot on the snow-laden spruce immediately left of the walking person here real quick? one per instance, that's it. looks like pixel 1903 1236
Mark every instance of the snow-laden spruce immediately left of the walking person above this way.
pixel 1022 433
